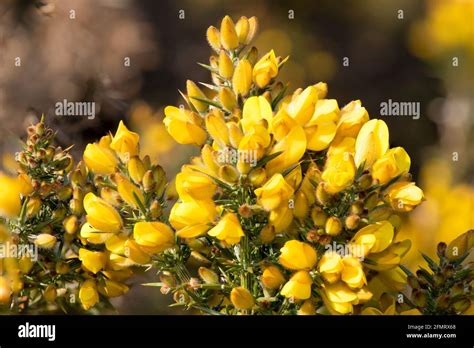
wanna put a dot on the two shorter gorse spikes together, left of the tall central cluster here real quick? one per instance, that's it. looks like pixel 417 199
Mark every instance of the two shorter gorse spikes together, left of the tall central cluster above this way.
pixel 64 228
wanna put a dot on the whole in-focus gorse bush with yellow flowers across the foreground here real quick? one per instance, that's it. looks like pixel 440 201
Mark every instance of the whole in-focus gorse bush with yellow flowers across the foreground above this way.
pixel 292 207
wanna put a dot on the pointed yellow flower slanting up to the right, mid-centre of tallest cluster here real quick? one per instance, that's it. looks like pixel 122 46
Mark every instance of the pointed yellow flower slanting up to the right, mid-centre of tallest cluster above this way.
pixel 292 148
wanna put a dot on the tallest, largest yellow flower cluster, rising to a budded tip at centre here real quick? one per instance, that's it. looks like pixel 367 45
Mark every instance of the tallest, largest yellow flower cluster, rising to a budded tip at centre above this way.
pixel 283 183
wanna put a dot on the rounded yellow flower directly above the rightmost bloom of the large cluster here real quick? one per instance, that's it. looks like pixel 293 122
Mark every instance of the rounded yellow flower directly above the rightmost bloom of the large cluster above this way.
pixel 395 162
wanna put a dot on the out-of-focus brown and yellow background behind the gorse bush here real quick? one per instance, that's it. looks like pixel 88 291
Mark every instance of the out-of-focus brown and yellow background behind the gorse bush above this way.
pixel 405 50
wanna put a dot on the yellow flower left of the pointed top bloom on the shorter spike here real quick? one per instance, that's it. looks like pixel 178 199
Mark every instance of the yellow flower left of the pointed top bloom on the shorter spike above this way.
pixel 100 159
